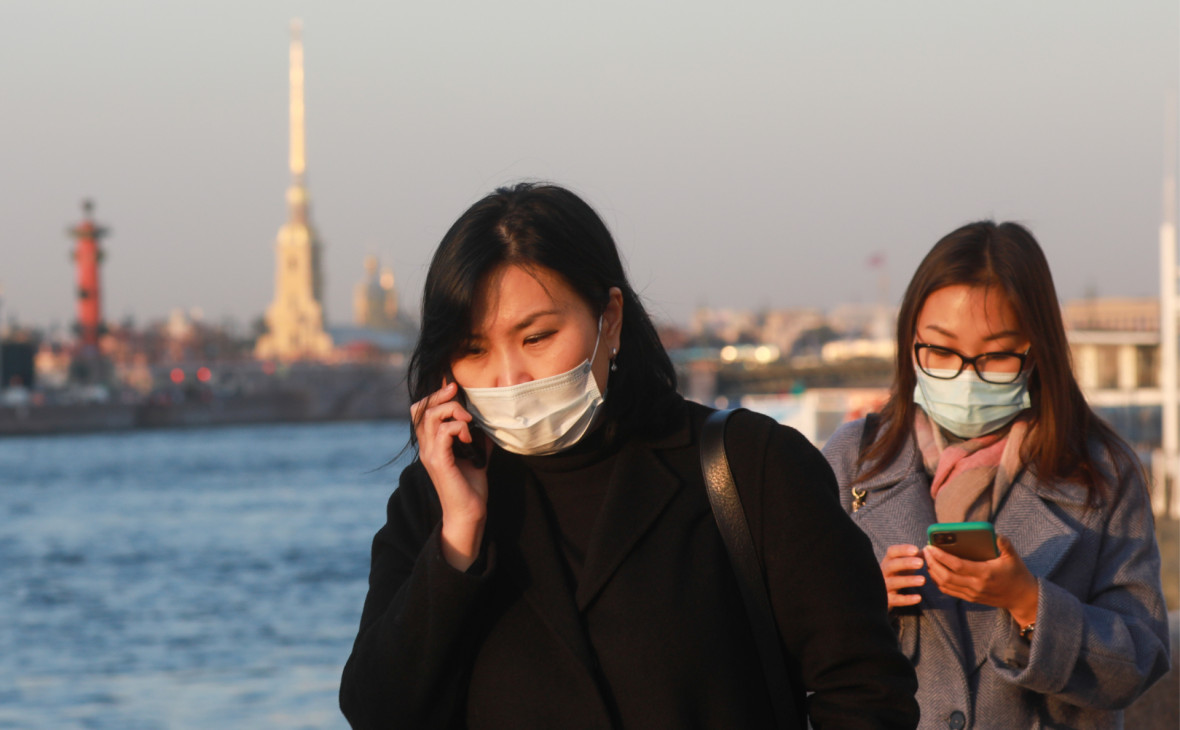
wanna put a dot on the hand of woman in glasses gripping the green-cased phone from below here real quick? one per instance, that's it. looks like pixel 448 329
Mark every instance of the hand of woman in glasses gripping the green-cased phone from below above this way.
pixel 1004 582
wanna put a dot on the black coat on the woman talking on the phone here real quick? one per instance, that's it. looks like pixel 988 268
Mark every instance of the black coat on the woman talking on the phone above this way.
pixel 655 635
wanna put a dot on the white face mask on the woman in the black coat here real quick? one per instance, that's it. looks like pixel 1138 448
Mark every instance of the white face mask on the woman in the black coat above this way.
pixel 541 417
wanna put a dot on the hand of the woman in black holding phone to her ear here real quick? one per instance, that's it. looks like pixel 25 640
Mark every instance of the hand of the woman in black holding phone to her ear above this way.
pixel 440 420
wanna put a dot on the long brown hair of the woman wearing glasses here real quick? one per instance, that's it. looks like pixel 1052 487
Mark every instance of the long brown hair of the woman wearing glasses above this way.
pixel 1008 258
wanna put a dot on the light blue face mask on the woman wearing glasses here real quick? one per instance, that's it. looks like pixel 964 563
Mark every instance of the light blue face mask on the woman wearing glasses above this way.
pixel 969 407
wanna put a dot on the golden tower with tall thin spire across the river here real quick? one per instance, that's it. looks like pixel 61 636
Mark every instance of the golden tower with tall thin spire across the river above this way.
pixel 296 318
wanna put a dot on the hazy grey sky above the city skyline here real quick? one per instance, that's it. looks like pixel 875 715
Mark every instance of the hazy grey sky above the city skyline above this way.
pixel 745 155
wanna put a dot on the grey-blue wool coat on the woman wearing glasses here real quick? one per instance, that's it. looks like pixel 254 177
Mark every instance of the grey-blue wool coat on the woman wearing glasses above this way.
pixel 1102 633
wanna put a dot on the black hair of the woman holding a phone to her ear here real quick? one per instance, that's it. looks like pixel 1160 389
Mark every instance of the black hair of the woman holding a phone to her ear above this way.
pixel 539 226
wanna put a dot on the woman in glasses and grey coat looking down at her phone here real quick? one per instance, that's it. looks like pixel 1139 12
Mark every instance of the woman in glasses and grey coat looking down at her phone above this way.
pixel 986 423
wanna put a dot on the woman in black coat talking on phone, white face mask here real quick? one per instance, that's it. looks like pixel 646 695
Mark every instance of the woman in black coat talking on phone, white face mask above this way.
pixel 550 560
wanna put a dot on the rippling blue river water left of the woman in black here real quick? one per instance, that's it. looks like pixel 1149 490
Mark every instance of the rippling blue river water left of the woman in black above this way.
pixel 207 578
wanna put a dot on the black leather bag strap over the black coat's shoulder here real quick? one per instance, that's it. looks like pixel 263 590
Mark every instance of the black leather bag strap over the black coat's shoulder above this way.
pixel 731 517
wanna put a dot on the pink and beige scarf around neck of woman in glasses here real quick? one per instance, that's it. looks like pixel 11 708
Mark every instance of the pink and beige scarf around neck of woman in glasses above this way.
pixel 969 479
